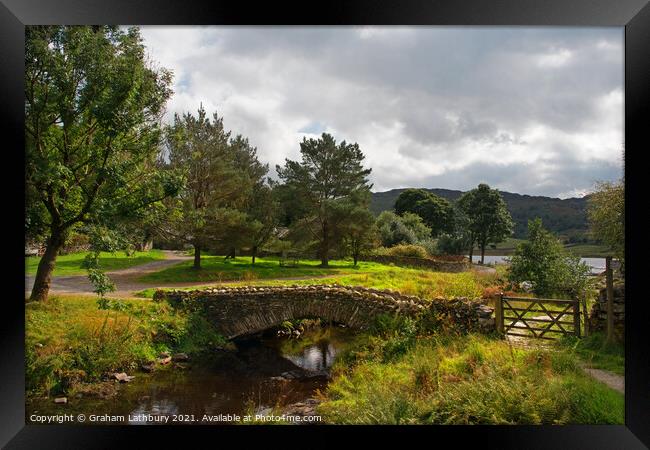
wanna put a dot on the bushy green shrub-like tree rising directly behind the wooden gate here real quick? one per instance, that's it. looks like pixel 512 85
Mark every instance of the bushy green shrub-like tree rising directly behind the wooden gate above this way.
pixel 543 261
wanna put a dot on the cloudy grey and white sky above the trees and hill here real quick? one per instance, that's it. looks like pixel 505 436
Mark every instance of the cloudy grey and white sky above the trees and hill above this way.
pixel 531 110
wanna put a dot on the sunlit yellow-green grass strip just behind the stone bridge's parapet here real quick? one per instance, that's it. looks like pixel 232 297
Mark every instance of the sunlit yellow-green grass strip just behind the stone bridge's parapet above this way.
pixel 410 281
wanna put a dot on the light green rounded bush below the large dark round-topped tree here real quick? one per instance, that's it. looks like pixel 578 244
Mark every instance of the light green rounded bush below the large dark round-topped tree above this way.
pixel 406 229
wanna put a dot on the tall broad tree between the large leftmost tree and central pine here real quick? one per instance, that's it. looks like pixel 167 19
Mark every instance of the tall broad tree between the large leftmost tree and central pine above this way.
pixel 220 174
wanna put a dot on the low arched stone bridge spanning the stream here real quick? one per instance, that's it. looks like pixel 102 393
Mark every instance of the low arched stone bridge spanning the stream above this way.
pixel 237 311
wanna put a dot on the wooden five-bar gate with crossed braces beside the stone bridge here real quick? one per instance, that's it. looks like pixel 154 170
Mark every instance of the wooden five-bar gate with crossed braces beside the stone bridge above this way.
pixel 516 313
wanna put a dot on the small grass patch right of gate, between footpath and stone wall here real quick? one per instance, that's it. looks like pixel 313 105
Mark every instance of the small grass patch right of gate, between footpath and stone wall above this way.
pixel 597 353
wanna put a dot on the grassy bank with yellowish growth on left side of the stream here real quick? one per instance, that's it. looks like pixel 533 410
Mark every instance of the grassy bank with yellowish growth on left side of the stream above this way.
pixel 70 342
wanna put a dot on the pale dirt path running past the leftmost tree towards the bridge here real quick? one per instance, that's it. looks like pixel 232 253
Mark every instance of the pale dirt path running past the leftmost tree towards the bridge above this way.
pixel 127 280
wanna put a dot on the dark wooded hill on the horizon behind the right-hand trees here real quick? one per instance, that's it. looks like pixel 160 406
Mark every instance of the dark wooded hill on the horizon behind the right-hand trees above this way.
pixel 564 217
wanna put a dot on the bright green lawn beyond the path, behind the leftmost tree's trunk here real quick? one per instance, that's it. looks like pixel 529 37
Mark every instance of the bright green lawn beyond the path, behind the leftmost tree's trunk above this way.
pixel 71 264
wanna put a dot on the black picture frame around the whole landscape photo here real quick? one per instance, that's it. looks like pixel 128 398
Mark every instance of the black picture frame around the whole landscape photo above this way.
pixel 634 15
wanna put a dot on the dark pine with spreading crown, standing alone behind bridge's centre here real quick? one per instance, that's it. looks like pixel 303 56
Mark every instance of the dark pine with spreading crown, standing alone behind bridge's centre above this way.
pixel 326 177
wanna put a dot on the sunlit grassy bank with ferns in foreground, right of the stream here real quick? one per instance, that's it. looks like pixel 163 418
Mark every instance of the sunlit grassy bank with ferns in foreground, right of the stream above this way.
pixel 399 376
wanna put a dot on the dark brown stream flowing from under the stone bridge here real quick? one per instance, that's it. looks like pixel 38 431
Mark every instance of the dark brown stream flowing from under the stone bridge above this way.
pixel 264 375
